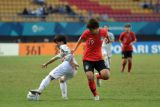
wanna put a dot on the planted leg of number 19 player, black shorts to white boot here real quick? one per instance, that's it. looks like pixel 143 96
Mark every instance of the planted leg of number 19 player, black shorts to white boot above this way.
pixel 89 69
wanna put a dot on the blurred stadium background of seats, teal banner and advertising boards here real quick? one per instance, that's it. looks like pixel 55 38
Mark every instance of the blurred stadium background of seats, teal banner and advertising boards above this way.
pixel 28 26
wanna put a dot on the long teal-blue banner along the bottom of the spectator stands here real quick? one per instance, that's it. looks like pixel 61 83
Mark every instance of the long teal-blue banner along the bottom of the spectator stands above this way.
pixel 54 28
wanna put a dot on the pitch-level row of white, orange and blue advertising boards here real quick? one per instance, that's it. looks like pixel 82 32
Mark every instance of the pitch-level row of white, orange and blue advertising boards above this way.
pixel 27 49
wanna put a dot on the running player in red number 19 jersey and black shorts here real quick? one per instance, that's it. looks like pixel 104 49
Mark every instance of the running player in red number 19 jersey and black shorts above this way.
pixel 92 57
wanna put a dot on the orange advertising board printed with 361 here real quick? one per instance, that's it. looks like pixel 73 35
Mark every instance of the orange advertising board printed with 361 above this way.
pixel 26 49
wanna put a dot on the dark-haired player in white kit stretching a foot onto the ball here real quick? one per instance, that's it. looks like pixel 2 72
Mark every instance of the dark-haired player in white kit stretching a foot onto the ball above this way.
pixel 65 71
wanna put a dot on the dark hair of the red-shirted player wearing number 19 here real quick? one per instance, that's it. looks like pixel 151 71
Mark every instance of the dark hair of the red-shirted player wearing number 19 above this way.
pixel 92 24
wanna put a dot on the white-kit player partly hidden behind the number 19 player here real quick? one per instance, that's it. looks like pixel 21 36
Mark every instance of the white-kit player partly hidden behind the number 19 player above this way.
pixel 107 48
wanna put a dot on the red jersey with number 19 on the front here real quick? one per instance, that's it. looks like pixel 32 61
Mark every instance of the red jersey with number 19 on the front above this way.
pixel 93 51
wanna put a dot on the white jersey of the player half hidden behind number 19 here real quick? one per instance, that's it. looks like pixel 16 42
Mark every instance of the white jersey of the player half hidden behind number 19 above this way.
pixel 107 47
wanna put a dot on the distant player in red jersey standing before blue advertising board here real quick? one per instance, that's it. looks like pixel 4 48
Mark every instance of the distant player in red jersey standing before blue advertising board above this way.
pixel 127 38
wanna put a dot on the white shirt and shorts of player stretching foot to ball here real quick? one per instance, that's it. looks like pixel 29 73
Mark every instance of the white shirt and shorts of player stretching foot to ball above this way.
pixel 66 68
